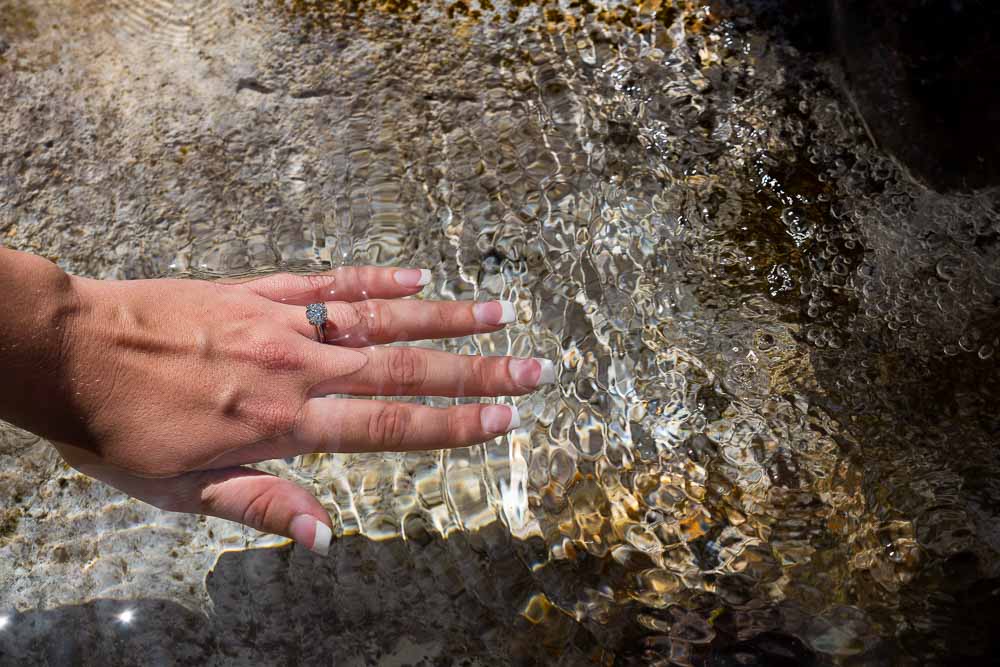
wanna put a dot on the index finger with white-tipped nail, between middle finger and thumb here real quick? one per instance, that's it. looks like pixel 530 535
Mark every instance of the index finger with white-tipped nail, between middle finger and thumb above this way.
pixel 354 425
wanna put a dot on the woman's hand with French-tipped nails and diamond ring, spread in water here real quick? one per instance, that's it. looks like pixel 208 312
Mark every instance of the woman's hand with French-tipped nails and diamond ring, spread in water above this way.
pixel 174 385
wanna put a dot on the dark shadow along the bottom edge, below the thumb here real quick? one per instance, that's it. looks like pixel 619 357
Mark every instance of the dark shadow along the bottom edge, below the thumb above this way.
pixel 360 606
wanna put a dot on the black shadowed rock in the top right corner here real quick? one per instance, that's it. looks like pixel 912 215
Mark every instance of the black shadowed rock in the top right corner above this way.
pixel 925 76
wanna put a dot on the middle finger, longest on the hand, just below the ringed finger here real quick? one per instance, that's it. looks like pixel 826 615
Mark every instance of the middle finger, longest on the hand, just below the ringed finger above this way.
pixel 411 371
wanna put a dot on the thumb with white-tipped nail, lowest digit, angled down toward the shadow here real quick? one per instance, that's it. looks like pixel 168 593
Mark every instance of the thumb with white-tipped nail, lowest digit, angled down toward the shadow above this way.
pixel 250 497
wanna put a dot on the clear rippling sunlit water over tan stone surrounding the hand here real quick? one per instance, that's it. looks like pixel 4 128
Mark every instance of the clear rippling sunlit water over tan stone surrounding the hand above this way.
pixel 775 413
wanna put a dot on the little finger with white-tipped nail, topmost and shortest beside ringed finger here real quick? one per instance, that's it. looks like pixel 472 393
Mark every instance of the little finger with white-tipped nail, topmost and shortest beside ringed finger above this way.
pixel 347 283
